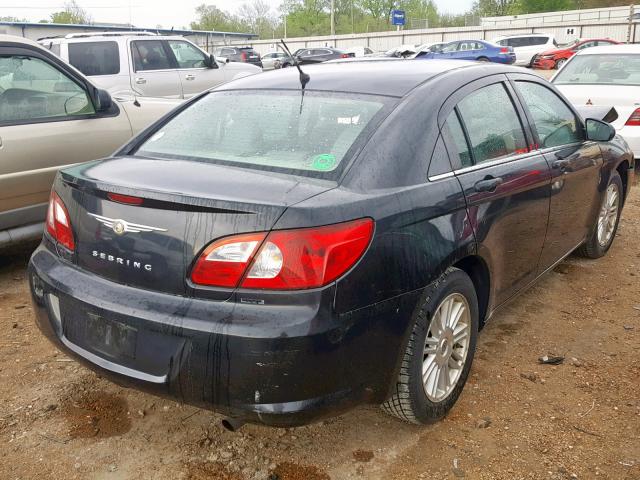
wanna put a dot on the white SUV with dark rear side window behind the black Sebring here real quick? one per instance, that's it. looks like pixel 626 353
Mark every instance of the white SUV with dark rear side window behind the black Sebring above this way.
pixel 145 64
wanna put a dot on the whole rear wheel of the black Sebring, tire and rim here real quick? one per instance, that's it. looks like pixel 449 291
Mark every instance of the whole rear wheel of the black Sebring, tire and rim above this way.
pixel 438 357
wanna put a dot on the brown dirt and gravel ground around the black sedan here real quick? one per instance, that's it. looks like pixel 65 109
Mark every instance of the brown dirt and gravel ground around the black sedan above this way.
pixel 516 419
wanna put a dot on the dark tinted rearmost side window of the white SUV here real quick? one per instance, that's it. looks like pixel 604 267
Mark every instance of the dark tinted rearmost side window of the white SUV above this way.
pixel 95 58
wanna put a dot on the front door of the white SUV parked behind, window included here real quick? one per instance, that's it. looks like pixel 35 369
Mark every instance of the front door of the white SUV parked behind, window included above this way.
pixel 194 73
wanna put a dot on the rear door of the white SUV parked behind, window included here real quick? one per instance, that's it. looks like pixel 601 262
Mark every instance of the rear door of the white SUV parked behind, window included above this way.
pixel 153 69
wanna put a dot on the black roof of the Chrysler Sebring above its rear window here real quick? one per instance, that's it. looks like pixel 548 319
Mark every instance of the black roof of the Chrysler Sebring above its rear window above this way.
pixel 390 77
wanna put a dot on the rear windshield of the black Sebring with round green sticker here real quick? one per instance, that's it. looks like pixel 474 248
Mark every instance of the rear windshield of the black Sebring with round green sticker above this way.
pixel 267 130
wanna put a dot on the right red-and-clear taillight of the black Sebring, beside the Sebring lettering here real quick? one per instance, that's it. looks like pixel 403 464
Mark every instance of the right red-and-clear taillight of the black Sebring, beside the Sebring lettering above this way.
pixel 284 259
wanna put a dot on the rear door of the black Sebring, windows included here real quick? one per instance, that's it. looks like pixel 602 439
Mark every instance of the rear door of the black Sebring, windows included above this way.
pixel 506 182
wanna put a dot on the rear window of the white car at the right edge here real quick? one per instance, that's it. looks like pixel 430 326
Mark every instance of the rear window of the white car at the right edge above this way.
pixel 605 69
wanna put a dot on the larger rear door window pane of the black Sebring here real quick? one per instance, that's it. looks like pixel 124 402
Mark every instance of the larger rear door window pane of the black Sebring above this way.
pixel 492 124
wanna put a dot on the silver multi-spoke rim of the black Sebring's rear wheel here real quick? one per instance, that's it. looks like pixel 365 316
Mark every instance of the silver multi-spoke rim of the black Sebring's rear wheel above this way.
pixel 446 347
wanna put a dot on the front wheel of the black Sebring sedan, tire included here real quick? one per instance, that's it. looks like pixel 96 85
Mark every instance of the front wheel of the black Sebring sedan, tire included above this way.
pixel 598 245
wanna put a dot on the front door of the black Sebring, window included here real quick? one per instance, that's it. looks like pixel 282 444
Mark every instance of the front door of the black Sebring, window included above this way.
pixel 575 167
